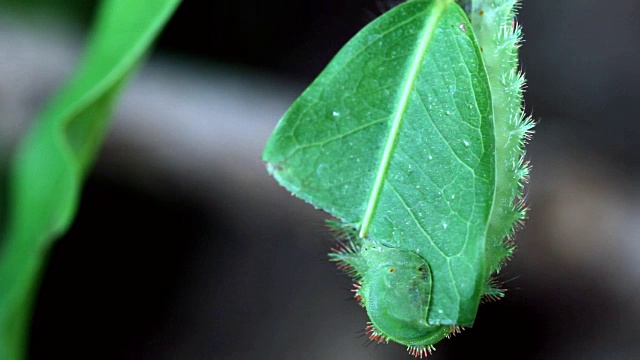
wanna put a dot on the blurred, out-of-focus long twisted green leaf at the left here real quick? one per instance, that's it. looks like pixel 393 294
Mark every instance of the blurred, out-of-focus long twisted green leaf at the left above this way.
pixel 52 161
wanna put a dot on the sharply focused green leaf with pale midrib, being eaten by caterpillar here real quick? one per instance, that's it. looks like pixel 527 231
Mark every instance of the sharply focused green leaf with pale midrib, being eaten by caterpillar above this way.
pixel 396 137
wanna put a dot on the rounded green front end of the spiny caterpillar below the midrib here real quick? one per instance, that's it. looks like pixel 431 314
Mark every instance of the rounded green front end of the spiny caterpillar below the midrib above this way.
pixel 396 292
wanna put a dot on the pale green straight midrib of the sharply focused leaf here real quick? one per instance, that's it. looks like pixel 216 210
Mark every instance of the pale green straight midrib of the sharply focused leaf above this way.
pixel 426 35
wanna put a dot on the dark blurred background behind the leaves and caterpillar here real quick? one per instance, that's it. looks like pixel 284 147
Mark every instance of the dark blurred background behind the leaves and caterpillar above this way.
pixel 185 248
